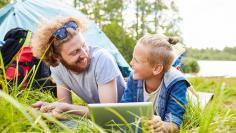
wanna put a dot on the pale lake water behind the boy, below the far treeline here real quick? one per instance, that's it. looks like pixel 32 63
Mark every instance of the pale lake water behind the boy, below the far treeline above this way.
pixel 217 68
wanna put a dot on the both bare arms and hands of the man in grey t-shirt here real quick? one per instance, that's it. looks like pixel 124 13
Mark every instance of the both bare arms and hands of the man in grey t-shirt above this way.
pixel 107 94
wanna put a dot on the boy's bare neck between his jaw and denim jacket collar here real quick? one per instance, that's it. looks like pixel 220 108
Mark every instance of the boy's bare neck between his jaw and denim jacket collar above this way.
pixel 152 84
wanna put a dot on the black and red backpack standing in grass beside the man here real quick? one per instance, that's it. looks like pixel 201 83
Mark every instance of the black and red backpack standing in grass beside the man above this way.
pixel 18 60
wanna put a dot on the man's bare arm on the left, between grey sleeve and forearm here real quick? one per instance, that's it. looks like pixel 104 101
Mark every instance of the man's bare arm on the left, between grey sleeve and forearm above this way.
pixel 64 94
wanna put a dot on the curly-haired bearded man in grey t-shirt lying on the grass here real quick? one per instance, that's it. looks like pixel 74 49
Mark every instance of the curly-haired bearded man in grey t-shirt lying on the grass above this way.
pixel 89 72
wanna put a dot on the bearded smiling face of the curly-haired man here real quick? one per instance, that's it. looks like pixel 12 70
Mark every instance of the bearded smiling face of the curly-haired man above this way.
pixel 75 54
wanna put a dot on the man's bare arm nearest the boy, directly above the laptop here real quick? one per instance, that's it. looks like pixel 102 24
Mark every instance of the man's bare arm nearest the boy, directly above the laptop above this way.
pixel 108 92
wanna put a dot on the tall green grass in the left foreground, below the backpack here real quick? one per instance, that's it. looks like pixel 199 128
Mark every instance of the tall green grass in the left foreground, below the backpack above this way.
pixel 16 112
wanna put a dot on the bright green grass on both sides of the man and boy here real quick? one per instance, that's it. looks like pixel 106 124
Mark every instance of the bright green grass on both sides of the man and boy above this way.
pixel 17 115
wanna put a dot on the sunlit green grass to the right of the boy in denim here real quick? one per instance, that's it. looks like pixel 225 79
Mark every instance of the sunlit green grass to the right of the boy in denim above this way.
pixel 220 114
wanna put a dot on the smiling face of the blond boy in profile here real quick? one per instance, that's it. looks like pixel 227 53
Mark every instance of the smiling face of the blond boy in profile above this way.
pixel 142 68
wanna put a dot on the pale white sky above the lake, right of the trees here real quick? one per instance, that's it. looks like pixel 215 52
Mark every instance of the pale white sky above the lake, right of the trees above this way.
pixel 208 23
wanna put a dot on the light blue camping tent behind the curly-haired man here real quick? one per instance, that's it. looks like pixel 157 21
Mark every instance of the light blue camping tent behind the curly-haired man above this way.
pixel 29 13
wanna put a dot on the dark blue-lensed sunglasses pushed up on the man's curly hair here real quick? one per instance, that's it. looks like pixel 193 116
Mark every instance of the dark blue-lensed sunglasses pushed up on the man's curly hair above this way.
pixel 61 33
